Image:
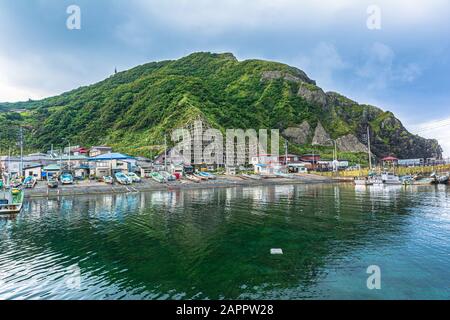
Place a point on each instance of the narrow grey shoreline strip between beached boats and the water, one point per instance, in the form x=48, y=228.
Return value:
x=80, y=189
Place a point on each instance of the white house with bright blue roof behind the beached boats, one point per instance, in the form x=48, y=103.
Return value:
x=110, y=163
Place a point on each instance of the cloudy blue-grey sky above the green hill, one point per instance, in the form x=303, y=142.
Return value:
x=403, y=67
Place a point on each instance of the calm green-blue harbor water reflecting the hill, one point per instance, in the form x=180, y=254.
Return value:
x=215, y=244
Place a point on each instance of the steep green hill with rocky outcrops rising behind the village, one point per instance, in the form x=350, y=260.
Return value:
x=132, y=110
